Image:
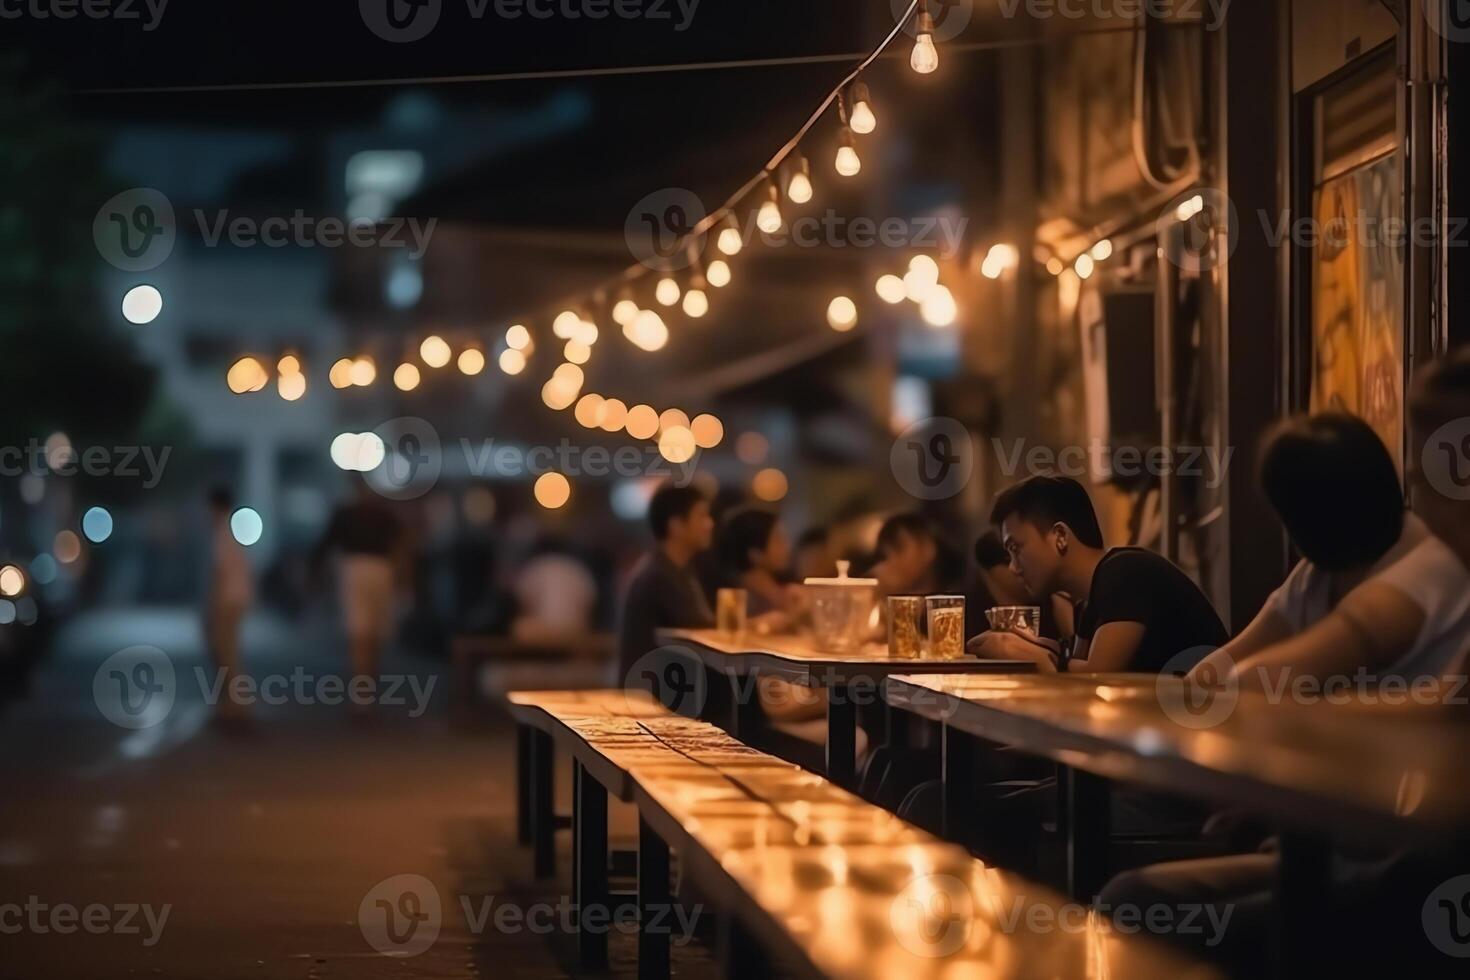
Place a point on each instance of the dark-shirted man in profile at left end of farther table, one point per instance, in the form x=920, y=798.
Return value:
x=664, y=593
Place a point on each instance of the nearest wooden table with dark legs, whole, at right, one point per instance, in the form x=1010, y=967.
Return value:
x=1391, y=777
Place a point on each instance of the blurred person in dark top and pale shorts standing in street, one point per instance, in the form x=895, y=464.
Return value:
x=368, y=540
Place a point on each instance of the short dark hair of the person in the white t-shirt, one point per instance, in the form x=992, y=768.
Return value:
x=1334, y=484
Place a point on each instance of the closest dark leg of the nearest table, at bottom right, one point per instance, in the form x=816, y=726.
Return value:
x=1305, y=898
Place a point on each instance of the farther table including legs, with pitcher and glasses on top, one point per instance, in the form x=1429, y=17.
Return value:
x=846, y=680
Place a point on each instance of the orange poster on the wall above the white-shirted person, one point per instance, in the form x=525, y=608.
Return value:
x=1358, y=287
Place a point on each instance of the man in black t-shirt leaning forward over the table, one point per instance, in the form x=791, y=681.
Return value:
x=1136, y=610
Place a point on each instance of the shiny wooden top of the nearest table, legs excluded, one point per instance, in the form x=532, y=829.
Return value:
x=1375, y=774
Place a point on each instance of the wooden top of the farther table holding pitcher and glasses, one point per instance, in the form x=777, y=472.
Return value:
x=799, y=660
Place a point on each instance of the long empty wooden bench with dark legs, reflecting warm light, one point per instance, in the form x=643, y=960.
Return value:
x=836, y=884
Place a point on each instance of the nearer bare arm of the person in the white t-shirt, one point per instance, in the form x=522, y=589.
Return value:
x=1372, y=628
